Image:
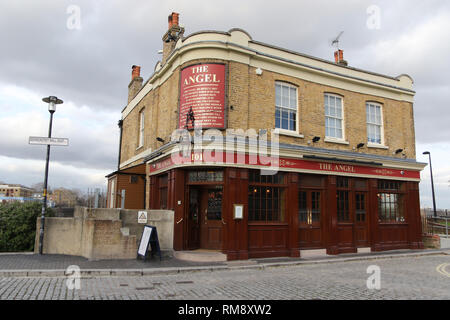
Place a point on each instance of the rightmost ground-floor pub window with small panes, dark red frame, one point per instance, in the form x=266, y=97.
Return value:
x=390, y=202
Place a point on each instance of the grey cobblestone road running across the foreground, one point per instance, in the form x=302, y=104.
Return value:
x=426, y=277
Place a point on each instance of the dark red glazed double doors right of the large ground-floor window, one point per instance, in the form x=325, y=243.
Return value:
x=310, y=219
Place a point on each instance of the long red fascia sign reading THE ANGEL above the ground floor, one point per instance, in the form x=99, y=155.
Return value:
x=222, y=158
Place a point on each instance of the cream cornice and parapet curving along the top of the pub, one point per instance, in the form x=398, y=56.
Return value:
x=238, y=46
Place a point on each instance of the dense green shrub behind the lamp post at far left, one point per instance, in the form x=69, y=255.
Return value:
x=18, y=225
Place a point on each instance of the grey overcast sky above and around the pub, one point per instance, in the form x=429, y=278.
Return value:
x=46, y=50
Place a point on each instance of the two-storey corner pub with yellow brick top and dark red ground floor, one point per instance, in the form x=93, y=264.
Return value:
x=338, y=171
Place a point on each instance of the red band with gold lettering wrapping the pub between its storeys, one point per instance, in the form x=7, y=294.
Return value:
x=270, y=163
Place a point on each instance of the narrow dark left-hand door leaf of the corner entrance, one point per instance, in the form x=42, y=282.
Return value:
x=193, y=232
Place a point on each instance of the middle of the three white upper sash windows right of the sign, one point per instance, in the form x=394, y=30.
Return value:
x=334, y=117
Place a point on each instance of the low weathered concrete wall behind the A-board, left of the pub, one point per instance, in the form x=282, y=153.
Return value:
x=103, y=233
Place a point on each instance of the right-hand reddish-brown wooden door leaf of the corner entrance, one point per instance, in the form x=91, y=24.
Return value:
x=211, y=218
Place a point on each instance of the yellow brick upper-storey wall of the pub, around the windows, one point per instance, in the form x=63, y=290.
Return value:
x=253, y=101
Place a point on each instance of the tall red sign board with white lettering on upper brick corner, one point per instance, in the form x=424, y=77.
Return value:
x=202, y=96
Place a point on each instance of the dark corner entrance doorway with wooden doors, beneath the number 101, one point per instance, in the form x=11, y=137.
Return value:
x=205, y=217
